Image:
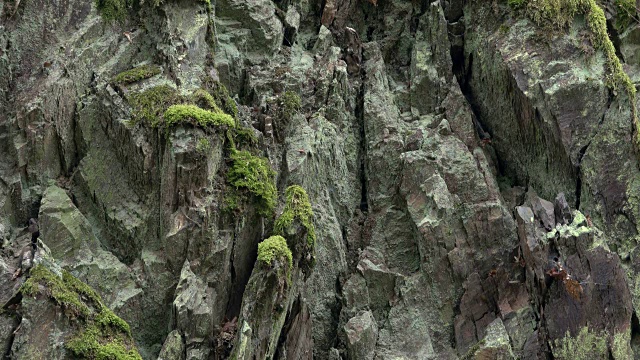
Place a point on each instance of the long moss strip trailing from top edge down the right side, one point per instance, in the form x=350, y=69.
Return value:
x=560, y=13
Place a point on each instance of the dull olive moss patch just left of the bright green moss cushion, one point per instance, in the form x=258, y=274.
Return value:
x=149, y=105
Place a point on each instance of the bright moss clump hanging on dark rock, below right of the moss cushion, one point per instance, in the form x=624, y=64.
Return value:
x=254, y=174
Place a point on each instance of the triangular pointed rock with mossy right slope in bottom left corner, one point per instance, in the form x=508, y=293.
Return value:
x=62, y=317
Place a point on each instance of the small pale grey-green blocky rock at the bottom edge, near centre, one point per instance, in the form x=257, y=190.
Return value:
x=362, y=334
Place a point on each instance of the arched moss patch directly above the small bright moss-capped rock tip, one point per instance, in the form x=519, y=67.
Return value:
x=297, y=207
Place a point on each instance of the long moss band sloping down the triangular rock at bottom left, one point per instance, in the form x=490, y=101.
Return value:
x=102, y=335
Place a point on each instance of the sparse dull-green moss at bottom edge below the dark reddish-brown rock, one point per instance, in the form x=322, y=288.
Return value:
x=587, y=344
